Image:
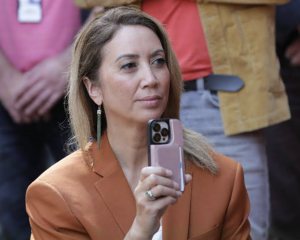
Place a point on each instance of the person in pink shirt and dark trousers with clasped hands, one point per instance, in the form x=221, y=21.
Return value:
x=35, y=36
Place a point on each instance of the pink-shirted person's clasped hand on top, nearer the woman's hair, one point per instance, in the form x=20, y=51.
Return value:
x=45, y=85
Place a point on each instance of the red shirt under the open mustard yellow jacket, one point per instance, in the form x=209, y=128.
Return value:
x=182, y=21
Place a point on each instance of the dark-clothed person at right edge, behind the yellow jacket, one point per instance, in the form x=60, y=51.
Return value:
x=283, y=140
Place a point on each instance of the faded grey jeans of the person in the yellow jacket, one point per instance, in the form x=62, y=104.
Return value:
x=200, y=112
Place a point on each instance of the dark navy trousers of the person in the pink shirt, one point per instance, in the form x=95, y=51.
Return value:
x=22, y=160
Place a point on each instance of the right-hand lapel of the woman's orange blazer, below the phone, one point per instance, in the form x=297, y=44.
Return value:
x=175, y=222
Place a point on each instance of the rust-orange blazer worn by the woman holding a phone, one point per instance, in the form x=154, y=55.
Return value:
x=72, y=200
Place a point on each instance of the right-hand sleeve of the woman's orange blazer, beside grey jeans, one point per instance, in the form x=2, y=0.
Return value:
x=236, y=225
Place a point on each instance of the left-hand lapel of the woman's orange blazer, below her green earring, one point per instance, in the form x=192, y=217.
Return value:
x=113, y=187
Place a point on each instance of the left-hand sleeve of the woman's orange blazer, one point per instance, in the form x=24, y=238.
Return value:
x=49, y=215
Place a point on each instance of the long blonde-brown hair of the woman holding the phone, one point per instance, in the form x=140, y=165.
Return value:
x=86, y=62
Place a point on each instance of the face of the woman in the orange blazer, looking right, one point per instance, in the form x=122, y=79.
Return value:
x=134, y=76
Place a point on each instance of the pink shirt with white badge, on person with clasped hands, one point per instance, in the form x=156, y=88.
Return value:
x=26, y=44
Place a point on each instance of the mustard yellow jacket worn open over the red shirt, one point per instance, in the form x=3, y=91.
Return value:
x=241, y=41
